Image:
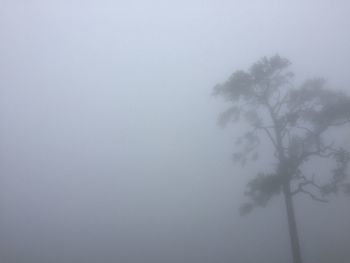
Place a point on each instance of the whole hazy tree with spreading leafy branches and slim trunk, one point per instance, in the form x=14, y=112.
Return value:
x=297, y=122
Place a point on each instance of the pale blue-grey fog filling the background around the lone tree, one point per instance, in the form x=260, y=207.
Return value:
x=109, y=145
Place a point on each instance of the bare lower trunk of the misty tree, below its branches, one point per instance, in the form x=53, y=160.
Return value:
x=293, y=231
